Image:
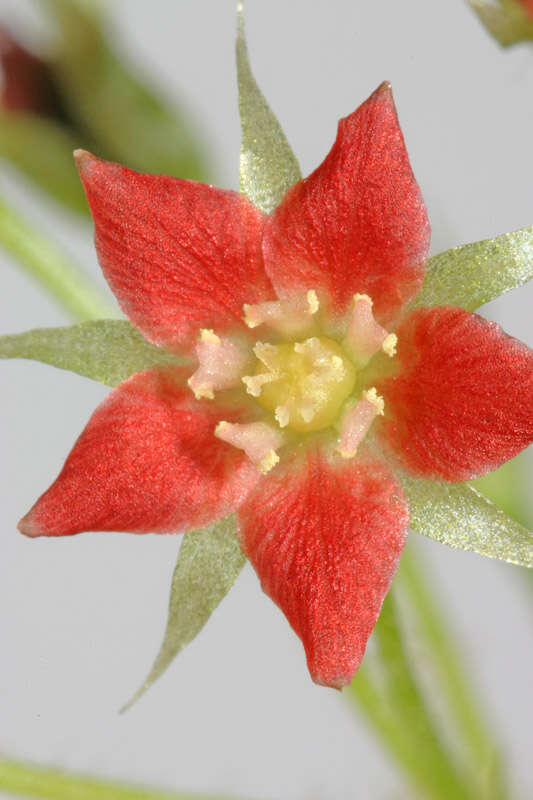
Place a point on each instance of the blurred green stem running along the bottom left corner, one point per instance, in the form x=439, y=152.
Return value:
x=27, y=780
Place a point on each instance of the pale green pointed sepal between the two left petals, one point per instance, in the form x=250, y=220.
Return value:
x=108, y=351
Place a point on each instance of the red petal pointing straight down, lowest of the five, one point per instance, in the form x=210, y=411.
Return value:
x=325, y=541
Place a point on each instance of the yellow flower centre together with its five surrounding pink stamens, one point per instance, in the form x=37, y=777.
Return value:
x=308, y=384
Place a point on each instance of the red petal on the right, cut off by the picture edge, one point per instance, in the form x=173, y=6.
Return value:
x=461, y=404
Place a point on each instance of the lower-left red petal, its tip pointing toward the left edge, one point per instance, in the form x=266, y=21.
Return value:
x=147, y=461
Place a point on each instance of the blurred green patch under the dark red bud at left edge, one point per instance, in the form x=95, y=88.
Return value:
x=42, y=150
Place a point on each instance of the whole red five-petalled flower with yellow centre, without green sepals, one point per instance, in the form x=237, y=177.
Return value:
x=310, y=387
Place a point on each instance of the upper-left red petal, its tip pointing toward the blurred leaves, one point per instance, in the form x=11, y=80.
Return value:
x=179, y=255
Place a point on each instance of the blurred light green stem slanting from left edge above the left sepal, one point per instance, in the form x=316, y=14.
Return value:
x=44, y=260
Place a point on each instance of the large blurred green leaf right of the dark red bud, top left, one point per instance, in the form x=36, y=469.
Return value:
x=130, y=122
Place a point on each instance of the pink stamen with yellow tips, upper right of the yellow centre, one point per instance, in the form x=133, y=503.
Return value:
x=365, y=336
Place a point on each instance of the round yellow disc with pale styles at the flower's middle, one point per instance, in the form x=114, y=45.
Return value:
x=303, y=383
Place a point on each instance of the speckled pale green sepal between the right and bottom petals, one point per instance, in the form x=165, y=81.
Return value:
x=458, y=515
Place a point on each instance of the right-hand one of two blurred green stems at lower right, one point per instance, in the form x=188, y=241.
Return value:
x=477, y=745
